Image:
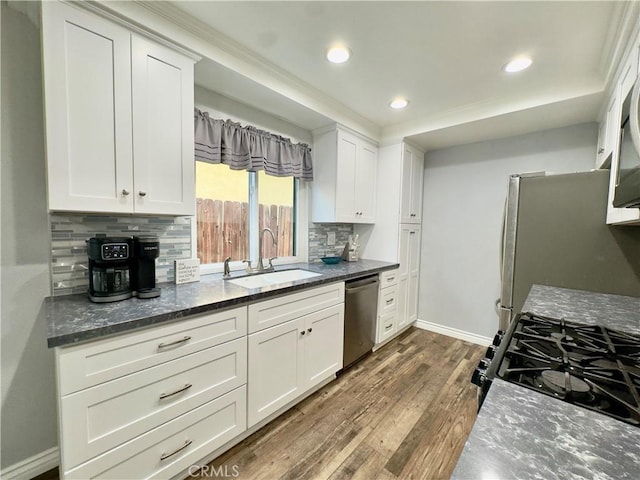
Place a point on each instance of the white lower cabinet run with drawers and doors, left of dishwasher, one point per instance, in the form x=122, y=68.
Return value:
x=153, y=403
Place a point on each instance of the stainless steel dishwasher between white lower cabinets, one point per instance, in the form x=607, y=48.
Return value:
x=360, y=313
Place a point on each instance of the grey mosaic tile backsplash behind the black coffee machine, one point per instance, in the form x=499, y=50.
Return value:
x=69, y=263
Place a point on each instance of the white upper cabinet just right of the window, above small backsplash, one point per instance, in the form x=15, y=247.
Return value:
x=344, y=184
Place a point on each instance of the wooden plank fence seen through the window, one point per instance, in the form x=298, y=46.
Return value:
x=222, y=230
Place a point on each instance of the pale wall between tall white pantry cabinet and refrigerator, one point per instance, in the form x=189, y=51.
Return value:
x=464, y=193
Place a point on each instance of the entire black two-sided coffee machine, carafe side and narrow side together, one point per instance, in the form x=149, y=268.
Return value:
x=121, y=267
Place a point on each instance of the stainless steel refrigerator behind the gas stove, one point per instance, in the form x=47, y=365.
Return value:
x=555, y=233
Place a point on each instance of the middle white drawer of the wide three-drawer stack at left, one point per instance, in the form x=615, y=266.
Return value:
x=107, y=415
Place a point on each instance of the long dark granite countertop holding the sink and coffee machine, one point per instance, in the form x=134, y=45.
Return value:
x=73, y=318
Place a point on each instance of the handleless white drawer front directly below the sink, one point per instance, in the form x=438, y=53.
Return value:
x=282, y=309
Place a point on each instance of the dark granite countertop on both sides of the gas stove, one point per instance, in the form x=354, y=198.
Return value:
x=522, y=434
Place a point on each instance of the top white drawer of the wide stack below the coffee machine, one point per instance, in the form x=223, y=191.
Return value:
x=87, y=365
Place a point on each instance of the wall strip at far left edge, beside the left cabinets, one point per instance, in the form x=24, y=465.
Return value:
x=28, y=389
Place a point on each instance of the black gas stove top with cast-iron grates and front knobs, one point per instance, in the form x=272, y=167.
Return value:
x=587, y=365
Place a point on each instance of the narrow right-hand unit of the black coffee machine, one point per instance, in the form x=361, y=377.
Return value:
x=143, y=268
